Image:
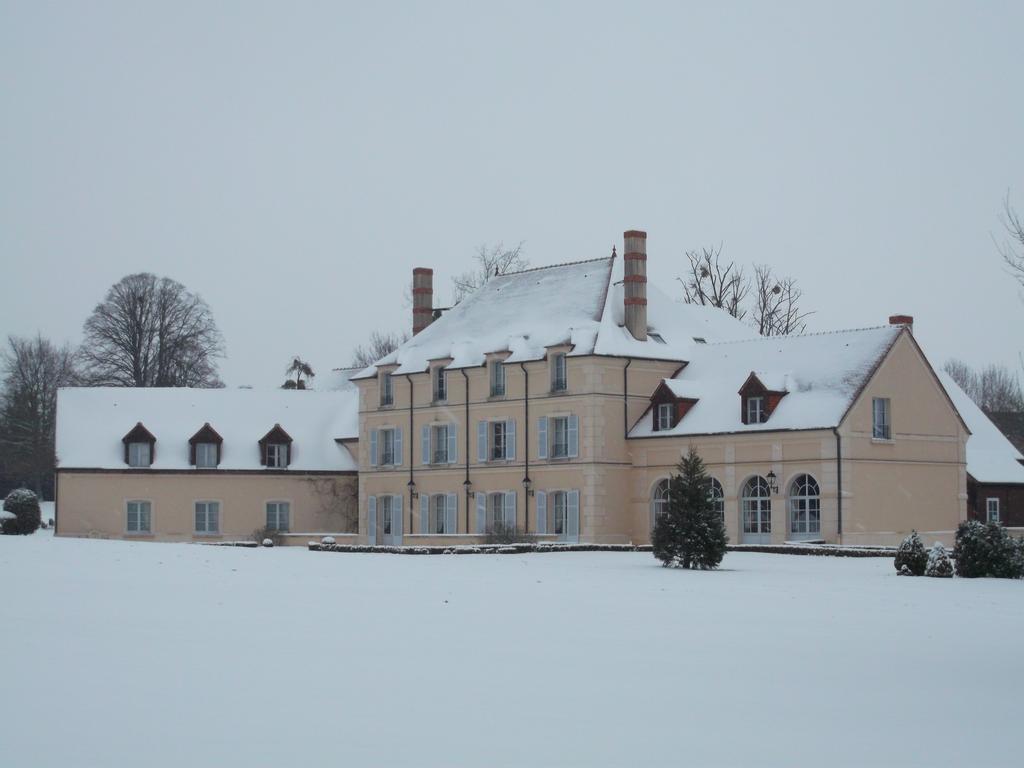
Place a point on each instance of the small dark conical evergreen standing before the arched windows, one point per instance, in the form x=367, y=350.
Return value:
x=690, y=534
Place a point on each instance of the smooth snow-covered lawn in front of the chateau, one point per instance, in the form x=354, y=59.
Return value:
x=135, y=654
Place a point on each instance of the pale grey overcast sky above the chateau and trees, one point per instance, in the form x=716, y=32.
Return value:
x=293, y=162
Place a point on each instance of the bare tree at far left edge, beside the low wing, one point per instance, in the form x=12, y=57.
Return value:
x=33, y=371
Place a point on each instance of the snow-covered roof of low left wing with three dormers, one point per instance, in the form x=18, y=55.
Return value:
x=93, y=421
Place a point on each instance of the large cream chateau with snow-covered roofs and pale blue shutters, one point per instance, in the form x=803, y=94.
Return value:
x=554, y=402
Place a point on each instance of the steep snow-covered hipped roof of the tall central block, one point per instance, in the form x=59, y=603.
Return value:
x=578, y=305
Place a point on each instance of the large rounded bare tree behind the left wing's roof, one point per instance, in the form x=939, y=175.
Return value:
x=152, y=332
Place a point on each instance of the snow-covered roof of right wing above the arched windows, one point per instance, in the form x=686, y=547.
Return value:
x=823, y=375
